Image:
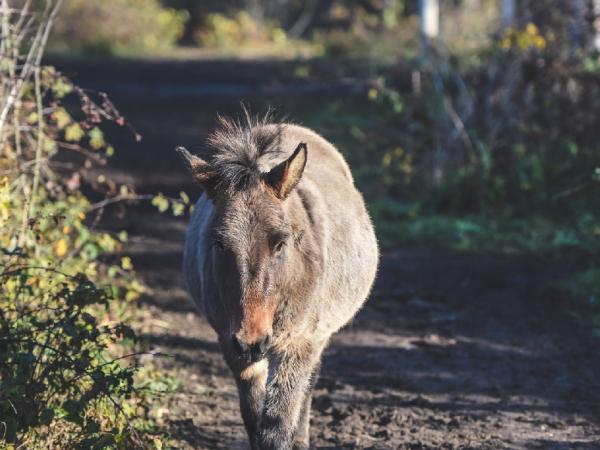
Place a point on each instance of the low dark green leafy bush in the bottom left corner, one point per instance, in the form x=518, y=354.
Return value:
x=60, y=384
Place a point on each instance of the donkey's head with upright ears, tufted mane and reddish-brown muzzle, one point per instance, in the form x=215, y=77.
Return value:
x=251, y=236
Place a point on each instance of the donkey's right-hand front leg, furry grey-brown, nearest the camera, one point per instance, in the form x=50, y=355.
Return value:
x=289, y=380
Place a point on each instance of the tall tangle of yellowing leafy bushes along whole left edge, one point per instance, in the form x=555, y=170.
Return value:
x=66, y=365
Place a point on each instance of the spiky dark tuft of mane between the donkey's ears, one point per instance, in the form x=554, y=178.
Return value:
x=239, y=146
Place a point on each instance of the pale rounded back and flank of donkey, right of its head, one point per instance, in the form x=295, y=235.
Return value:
x=344, y=230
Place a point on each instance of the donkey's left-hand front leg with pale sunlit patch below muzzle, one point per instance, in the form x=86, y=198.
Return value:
x=251, y=383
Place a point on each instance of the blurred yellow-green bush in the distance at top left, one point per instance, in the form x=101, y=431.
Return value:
x=118, y=27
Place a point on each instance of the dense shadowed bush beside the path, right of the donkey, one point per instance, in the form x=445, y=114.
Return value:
x=512, y=138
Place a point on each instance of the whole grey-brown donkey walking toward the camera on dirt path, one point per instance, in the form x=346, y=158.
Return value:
x=280, y=253
